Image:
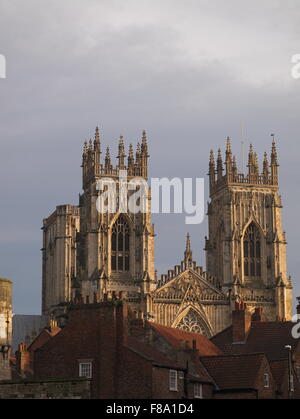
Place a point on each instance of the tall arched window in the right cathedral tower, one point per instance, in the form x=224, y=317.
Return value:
x=252, y=252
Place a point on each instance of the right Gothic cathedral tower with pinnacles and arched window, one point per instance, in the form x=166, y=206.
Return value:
x=246, y=247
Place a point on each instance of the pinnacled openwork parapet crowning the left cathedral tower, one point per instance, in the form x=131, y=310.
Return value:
x=92, y=167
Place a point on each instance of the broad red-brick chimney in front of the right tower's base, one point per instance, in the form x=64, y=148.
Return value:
x=241, y=323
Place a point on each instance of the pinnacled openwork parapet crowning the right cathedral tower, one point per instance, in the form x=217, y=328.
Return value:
x=267, y=177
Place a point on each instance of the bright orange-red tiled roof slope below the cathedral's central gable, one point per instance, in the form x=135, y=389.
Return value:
x=176, y=336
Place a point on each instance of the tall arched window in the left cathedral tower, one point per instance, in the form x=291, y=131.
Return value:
x=120, y=250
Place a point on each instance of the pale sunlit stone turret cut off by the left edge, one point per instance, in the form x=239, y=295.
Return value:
x=5, y=327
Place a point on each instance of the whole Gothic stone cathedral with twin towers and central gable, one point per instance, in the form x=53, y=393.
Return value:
x=96, y=256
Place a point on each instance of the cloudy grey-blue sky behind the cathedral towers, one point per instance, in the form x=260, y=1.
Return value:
x=190, y=72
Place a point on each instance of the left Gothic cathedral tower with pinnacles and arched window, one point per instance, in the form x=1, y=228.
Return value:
x=115, y=251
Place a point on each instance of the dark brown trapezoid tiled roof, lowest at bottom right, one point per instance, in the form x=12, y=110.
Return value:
x=232, y=372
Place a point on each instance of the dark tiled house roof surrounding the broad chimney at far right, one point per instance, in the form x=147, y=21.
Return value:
x=265, y=337
